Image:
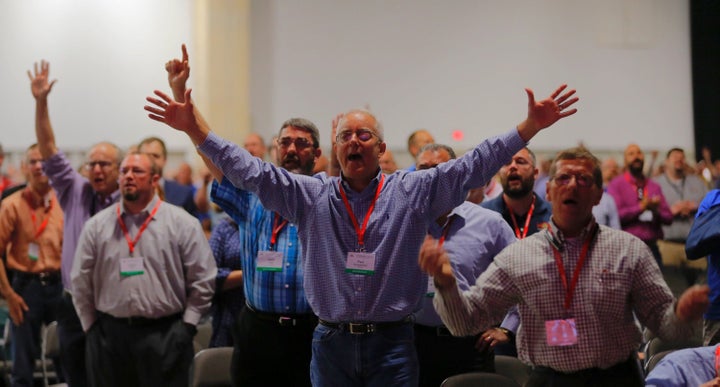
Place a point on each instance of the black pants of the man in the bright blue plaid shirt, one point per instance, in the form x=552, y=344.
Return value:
x=267, y=353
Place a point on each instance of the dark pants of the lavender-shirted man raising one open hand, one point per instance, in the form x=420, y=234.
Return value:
x=72, y=343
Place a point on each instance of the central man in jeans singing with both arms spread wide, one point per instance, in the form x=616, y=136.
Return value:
x=361, y=232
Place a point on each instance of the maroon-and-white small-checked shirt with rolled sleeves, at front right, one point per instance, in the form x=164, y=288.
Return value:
x=619, y=277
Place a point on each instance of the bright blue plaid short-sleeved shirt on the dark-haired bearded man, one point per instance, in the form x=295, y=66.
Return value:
x=271, y=292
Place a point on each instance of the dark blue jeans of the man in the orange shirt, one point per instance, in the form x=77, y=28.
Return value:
x=42, y=301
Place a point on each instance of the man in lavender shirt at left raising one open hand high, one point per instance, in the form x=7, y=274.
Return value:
x=80, y=198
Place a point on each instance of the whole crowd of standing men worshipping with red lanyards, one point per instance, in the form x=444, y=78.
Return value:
x=343, y=269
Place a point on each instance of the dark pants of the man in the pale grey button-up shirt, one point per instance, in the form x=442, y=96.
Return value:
x=148, y=353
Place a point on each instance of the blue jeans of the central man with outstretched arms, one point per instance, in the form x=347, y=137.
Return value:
x=384, y=358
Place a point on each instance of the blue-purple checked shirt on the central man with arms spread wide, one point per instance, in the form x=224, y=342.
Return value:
x=408, y=202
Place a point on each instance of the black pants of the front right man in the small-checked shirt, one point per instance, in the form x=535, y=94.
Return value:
x=625, y=374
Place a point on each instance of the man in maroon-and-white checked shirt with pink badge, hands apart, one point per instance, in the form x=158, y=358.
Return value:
x=578, y=286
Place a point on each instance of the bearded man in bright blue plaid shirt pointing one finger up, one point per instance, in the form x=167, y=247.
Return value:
x=273, y=332
